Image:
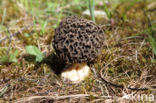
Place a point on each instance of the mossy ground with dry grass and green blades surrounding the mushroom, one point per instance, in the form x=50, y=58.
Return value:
x=125, y=70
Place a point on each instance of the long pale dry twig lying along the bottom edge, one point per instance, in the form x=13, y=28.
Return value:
x=26, y=99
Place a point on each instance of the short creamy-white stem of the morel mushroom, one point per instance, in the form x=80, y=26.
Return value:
x=76, y=73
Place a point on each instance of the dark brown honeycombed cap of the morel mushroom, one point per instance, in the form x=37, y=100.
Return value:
x=78, y=40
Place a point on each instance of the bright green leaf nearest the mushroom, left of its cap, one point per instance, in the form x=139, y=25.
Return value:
x=33, y=50
